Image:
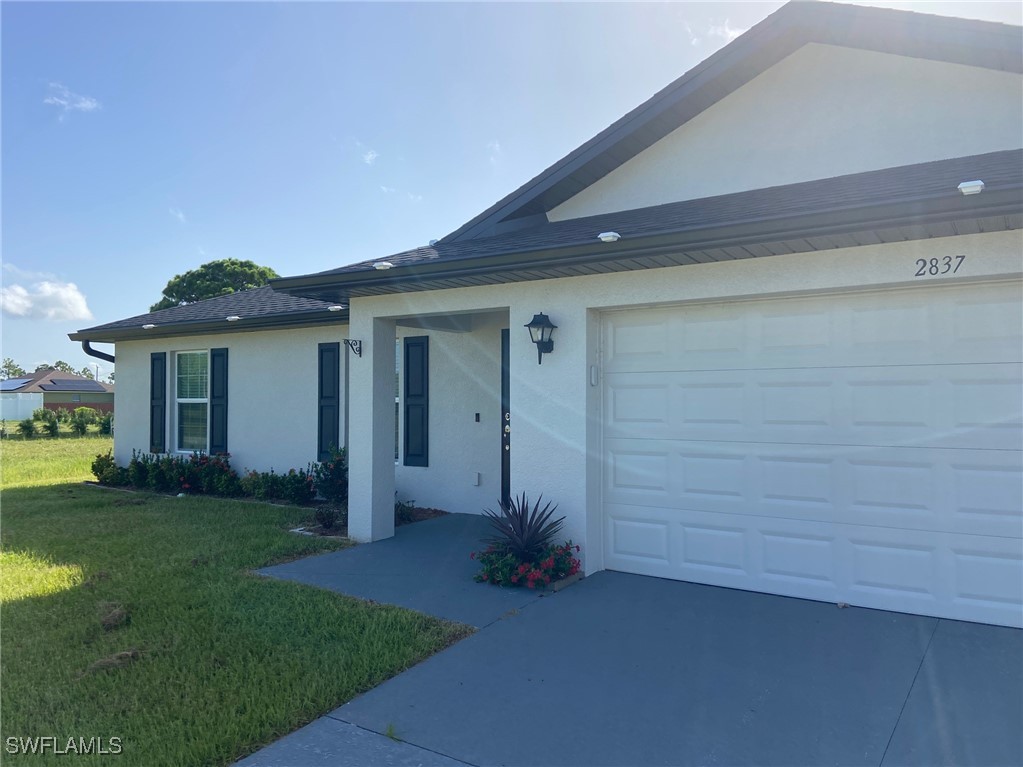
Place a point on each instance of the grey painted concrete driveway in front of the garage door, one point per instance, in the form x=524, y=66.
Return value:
x=629, y=670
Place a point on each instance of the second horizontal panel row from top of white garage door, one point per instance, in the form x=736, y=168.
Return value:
x=956, y=407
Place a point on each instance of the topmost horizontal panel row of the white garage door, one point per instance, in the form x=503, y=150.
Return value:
x=912, y=327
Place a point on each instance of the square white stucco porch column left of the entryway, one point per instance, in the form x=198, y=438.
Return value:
x=371, y=456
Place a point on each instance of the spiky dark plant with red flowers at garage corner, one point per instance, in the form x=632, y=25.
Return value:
x=523, y=552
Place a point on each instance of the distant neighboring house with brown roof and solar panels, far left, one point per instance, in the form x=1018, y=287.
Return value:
x=53, y=389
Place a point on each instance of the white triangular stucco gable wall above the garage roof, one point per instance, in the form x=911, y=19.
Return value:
x=823, y=112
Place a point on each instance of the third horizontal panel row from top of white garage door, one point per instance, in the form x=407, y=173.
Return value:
x=954, y=491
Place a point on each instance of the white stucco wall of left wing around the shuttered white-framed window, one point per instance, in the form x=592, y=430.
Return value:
x=273, y=394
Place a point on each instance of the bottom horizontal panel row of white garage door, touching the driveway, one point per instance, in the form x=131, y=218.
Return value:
x=932, y=573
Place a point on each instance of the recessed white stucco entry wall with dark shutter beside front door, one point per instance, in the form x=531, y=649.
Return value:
x=465, y=380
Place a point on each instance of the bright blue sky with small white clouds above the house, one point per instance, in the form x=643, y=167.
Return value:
x=142, y=140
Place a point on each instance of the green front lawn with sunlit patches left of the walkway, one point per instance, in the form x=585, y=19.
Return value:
x=205, y=662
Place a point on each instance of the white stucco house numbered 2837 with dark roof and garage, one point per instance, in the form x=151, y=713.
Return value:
x=788, y=355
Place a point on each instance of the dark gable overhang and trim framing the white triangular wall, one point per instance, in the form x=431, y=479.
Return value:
x=985, y=44
